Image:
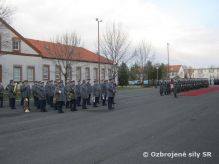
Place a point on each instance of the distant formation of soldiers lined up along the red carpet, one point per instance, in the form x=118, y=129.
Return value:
x=181, y=85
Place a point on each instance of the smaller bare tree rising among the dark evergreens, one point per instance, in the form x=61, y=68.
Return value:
x=143, y=54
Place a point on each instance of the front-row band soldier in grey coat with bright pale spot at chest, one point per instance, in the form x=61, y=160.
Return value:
x=59, y=97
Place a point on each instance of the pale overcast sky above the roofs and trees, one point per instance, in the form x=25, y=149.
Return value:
x=190, y=26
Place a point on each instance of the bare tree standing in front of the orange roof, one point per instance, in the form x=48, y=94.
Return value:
x=65, y=48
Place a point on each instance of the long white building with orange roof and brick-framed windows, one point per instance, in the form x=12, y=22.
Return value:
x=28, y=59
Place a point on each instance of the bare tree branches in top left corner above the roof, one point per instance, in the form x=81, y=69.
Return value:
x=5, y=11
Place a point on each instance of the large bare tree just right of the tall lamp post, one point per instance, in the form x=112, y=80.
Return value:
x=115, y=45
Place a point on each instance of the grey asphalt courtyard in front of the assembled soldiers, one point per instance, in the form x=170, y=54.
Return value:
x=143, y=123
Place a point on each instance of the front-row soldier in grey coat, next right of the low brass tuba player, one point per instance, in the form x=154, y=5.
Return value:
x=42, y=97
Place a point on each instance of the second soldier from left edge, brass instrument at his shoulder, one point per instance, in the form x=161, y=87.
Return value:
x=12, y=91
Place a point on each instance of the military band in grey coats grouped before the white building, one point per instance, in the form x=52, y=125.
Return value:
x=57, y=95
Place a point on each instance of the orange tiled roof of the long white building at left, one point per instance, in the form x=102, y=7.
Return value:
x=56, y=51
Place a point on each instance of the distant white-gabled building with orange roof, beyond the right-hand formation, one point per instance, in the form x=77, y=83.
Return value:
x=176, y=71
